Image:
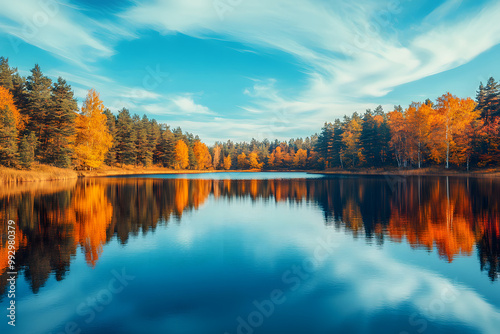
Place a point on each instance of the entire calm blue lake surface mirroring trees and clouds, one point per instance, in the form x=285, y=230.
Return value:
x=254, y=253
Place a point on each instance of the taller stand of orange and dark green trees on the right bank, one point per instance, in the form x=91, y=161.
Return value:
x=450, y=131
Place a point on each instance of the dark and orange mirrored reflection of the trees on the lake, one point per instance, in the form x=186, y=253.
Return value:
x=55, y=220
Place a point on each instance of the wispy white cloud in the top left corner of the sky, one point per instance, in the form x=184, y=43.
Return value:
x=55, y=27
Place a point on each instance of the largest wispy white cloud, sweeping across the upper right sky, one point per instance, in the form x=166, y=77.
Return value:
x=349, y=50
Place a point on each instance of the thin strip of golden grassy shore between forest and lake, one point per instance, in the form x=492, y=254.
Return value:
x=41, y=172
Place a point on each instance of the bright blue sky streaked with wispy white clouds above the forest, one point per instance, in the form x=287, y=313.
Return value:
x=242, y=69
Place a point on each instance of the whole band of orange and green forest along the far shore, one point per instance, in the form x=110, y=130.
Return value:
x=40, y=122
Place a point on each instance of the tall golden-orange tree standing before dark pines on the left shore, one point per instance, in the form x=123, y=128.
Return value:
x=93, y=139
